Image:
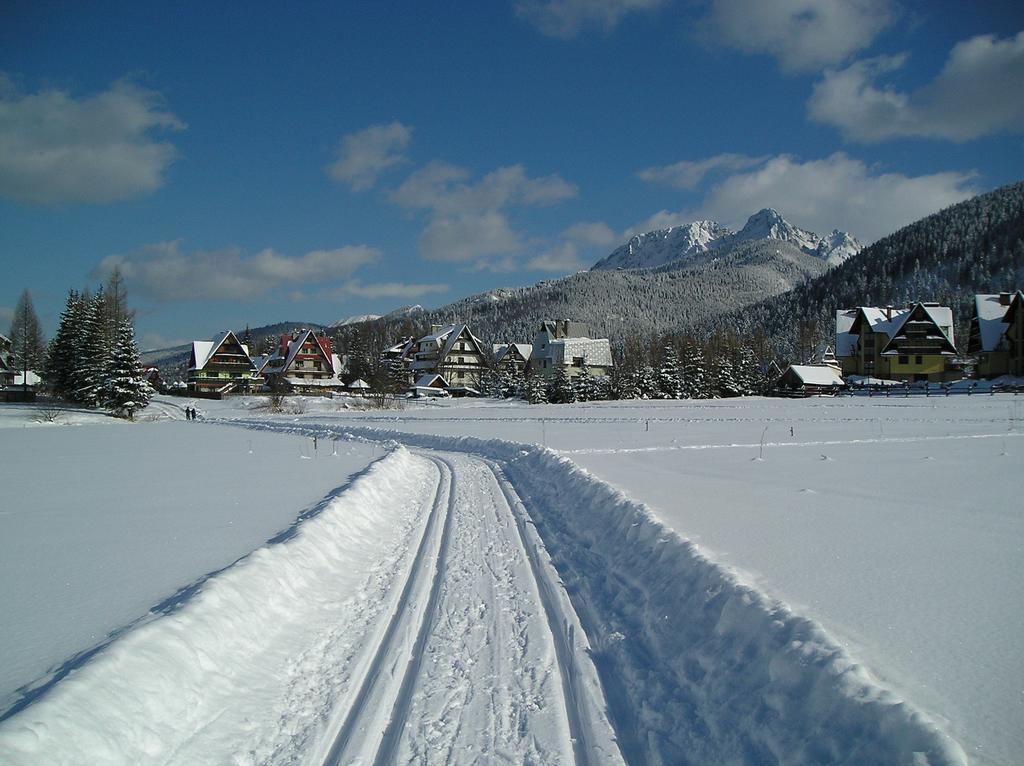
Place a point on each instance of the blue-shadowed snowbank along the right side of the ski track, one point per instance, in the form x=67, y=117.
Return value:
x=698, y=666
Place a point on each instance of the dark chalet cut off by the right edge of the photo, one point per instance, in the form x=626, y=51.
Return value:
x=998, y=334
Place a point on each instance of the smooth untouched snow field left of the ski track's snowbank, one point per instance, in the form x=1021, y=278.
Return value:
x=105, y=521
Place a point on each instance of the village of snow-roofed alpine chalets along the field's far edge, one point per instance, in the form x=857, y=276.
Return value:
x=874, y=347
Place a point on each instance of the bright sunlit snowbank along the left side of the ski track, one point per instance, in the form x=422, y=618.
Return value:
x=237, y=673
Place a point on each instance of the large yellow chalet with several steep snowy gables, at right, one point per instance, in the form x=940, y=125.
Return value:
x=909, y=345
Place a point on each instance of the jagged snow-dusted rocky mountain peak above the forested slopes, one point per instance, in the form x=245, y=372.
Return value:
x=666, y=246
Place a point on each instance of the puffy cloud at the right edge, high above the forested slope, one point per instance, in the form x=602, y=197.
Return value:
x=979, y=92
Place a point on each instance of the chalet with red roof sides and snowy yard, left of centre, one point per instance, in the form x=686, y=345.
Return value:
x=305, y=363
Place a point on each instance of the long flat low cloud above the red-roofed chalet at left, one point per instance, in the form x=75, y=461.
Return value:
x=163, y=272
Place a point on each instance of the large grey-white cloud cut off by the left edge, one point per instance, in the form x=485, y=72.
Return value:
x=57, y=149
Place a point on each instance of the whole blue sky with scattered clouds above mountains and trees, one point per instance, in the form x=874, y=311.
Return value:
x=268, y=162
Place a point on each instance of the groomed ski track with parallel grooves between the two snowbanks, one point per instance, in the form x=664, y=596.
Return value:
x=477, y=666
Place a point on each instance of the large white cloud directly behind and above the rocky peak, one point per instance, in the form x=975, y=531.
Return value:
x=838, y=192
